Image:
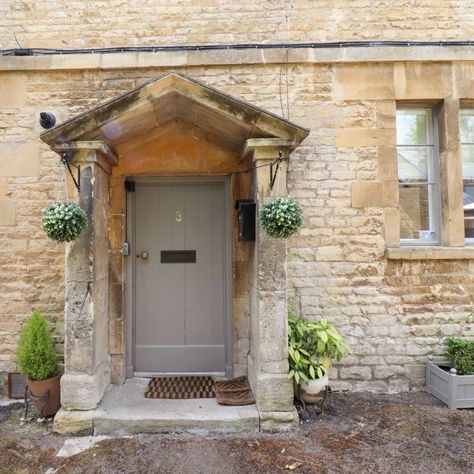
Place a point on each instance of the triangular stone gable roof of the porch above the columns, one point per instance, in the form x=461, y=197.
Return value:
x=156, y=108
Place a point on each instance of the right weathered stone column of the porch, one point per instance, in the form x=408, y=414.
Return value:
x=268, y=357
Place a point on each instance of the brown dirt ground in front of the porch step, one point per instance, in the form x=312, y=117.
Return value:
x=358, y=433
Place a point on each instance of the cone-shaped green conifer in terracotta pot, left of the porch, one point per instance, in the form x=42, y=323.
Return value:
x=38, y=361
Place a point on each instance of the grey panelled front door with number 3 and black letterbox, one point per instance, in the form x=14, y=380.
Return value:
x=180, y=275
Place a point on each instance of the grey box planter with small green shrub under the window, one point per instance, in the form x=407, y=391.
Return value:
x=452, y=380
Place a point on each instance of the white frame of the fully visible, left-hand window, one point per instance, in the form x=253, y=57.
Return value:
x=434, y=190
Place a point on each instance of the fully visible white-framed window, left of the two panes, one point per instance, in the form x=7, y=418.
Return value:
x=418, y=177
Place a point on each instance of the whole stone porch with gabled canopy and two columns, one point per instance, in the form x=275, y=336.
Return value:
x=117, y=132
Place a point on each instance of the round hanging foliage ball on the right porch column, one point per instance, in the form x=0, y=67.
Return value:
x=281, y=217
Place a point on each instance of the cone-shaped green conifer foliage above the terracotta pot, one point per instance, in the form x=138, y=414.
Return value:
x=35, y=353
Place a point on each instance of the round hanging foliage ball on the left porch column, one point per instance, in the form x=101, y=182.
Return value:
x=64, y=221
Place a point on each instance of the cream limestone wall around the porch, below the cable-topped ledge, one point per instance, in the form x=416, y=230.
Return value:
x=394, y=312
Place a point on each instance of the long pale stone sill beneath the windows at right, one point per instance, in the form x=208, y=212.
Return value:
x=430, y=253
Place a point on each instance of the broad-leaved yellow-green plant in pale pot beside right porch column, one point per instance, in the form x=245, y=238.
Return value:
x=312, y=347
